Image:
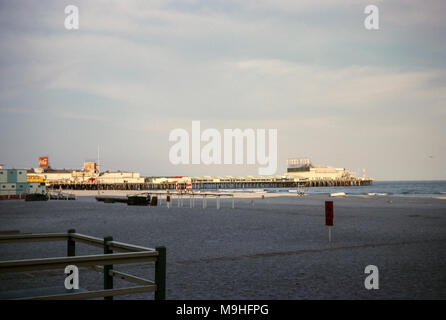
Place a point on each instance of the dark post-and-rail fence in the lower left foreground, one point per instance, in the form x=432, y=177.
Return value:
x=114, y=253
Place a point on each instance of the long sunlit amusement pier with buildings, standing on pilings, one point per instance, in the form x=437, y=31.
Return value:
x=300, y=173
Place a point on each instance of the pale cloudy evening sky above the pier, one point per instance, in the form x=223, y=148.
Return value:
x=336, y=92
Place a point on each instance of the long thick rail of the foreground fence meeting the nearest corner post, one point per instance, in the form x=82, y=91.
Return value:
x=80, y=261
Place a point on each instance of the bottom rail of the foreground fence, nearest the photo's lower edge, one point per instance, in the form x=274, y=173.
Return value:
x=96, y=294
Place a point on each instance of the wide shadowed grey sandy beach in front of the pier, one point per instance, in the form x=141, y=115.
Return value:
x=271, y=248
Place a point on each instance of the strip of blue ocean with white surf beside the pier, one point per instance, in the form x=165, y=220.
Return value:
x=435, y=188
